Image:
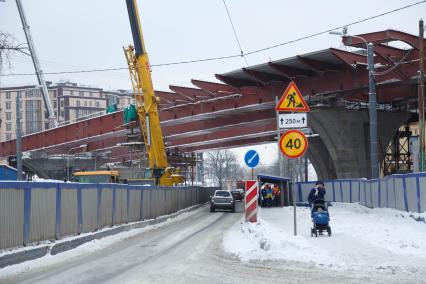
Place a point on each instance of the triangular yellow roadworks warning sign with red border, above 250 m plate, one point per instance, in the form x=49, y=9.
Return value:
x=292, y=100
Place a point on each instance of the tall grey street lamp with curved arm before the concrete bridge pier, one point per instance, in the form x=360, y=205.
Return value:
x=372, y=103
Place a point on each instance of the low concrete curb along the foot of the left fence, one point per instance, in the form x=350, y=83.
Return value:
x=31, y=254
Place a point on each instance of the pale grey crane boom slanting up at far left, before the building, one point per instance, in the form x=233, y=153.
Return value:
x=40, y=77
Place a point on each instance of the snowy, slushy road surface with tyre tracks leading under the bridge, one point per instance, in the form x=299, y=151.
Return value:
x=189, y=250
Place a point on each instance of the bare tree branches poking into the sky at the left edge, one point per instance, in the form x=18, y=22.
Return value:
x=8, y=47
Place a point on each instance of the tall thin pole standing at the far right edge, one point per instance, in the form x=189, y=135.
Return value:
x=421, y=94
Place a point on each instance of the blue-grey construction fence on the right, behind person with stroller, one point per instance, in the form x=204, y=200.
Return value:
x=405, y=192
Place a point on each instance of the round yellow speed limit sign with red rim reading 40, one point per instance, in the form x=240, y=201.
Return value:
x=293, y=143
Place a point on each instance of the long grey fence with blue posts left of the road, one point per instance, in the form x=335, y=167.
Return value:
x=31, y=212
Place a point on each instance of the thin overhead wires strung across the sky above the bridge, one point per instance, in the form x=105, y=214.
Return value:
x=233, y=55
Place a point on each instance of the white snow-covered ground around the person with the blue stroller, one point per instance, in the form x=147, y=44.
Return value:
x=362, y=239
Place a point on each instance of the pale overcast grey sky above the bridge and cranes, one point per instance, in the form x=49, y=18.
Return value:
x=82, y=34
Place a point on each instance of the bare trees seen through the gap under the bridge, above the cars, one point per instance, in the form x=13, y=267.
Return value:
x=223, y=165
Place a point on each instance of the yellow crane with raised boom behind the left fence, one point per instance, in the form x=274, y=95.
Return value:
x=147, y=104
